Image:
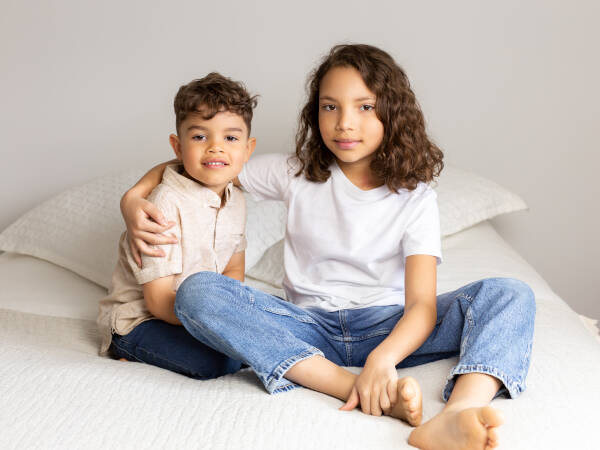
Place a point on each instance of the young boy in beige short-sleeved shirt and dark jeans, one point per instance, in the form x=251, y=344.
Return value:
x=136, y=319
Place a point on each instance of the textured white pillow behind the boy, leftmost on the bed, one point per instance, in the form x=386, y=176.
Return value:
x=79, y=229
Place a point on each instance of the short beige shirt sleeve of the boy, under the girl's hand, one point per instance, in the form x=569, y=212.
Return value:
x=171, y=264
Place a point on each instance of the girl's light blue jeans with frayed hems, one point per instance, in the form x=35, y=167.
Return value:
x=488, y=324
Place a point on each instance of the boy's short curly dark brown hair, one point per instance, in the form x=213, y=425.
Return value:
x=213, y=94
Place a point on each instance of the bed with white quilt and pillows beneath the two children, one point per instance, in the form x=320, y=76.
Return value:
x=56, y=392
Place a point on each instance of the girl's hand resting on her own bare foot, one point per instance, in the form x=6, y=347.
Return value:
x=375, y=388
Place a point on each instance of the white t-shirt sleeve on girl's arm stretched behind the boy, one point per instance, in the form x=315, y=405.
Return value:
x=267, y=177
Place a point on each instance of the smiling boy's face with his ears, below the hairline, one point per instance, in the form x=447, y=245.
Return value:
x=213, y=151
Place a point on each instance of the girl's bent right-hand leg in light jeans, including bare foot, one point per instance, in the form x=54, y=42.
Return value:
x=489, y=324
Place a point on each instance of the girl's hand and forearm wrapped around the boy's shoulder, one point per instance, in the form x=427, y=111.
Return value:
x=144, y=220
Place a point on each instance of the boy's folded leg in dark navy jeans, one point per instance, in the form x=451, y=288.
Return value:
x=171, y=347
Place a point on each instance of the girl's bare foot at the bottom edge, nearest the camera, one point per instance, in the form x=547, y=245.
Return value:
x=467, y=429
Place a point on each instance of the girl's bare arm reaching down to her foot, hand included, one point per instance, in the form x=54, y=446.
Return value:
x=375, y=388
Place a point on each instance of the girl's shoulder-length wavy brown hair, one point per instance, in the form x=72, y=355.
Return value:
x=406, y=155
